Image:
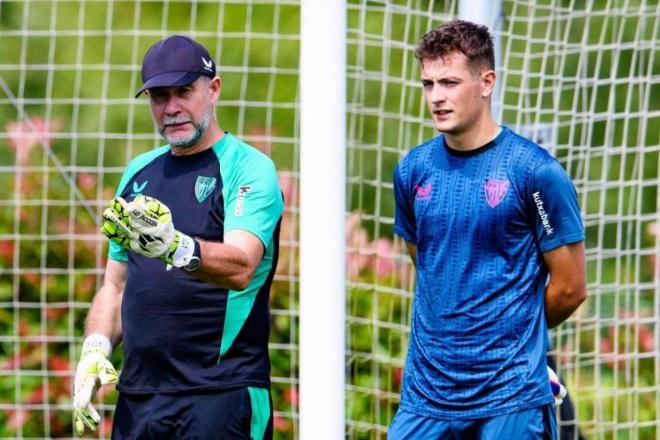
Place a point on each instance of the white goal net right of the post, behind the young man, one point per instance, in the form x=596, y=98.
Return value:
x=580, y=78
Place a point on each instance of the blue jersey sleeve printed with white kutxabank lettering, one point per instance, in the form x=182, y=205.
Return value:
x=554, y=207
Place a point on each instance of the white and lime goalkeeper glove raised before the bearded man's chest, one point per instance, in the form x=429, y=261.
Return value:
x=145, y=226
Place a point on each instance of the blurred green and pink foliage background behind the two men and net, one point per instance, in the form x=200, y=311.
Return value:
x=580, y=77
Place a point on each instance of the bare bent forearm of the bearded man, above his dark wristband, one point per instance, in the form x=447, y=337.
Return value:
x=224, y=265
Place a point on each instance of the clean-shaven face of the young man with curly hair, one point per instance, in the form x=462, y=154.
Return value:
x=456, y=94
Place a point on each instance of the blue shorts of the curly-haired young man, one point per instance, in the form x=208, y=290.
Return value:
x=531, y=424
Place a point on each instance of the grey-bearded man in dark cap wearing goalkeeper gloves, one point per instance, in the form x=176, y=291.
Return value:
x=194, y=239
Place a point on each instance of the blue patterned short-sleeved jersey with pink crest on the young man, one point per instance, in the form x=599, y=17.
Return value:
x=481, y=221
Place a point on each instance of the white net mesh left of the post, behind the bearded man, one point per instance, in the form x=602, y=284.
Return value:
x=68, y=73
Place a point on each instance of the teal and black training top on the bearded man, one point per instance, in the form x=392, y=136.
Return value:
x=180, y=333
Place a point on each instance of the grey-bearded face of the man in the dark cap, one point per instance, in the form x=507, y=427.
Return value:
x=182, y=113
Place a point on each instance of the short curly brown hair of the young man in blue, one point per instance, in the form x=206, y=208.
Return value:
x=471, y=39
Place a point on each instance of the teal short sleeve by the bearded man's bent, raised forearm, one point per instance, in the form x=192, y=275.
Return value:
x=253, y=199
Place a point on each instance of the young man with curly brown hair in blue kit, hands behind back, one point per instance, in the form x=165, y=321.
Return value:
x=486, y=216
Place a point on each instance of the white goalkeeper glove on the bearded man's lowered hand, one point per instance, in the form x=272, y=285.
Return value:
x=94, y=369
